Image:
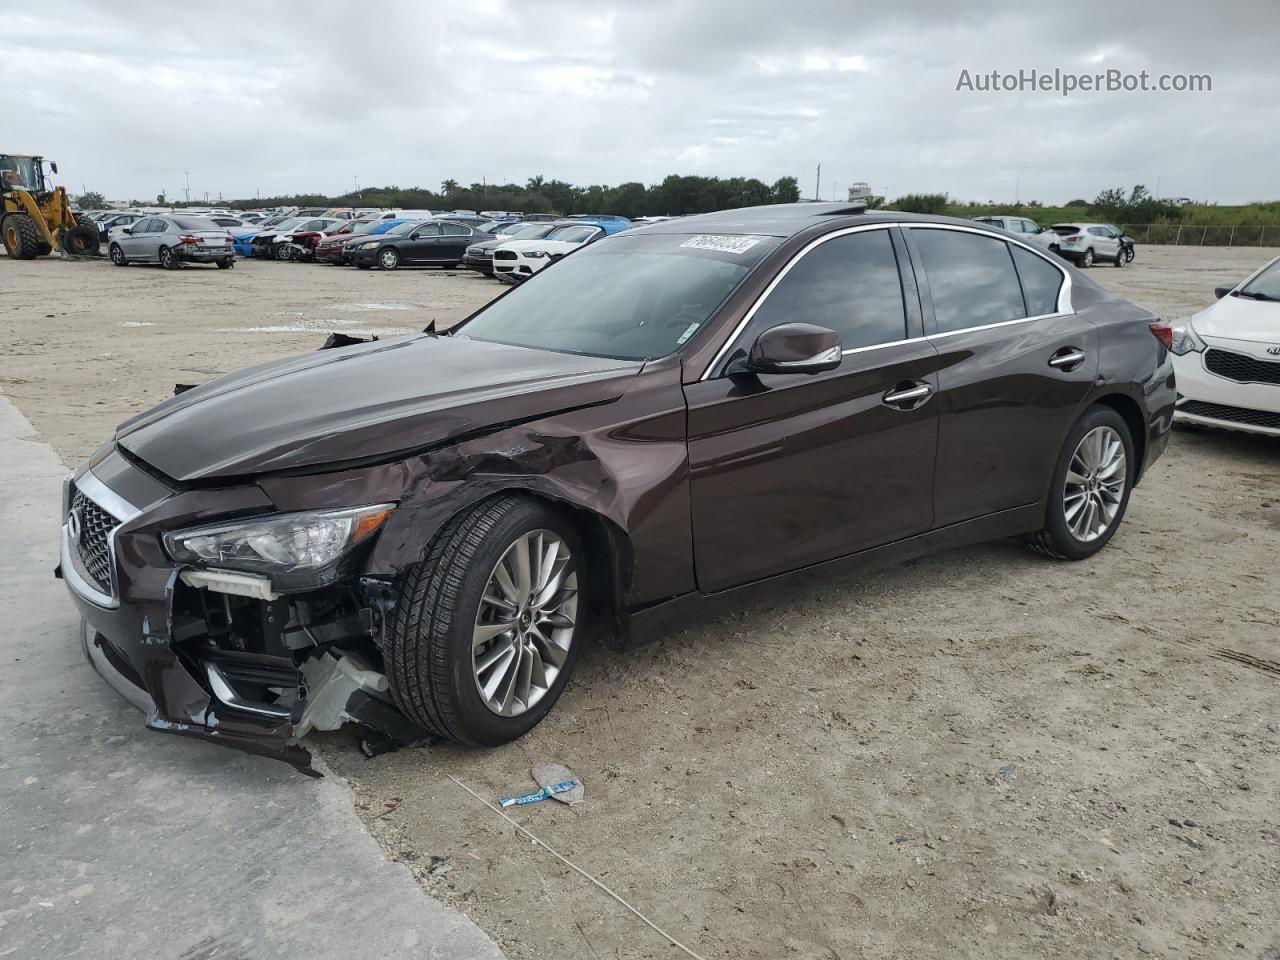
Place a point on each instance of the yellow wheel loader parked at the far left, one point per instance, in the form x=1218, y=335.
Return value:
x=35, y=217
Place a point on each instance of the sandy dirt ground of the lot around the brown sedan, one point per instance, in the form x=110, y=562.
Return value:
x=981, y=755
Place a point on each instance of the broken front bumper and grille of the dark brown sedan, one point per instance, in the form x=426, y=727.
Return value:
x=253, y=673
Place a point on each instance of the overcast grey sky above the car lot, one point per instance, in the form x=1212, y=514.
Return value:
x=304, y=98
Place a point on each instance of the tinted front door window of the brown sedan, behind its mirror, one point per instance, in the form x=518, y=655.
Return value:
x=849, y=285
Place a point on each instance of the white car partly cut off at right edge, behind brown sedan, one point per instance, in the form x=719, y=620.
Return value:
x=1227, y=358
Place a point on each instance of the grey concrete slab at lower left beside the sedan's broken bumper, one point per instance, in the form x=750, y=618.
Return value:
x=117, y=843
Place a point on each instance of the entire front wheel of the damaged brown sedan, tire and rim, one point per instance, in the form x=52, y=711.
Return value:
x=487, y=629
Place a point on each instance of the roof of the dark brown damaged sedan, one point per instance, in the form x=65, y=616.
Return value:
x=789, y=220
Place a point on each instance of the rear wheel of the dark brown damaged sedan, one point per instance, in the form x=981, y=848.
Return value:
x=1091, y=486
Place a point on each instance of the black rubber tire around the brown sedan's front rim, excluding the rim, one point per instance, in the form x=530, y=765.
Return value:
x=429, y=636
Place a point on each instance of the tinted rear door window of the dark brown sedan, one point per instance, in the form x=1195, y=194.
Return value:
x=972, y=280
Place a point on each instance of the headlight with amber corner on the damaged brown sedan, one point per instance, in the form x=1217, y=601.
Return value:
x=285, y=543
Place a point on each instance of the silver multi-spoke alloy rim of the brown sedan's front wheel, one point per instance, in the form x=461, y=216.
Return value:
x=527, y=624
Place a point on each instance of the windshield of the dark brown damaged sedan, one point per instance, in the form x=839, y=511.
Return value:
x=625, y=298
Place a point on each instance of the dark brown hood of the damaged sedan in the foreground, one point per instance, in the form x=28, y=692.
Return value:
x=362, y=404
